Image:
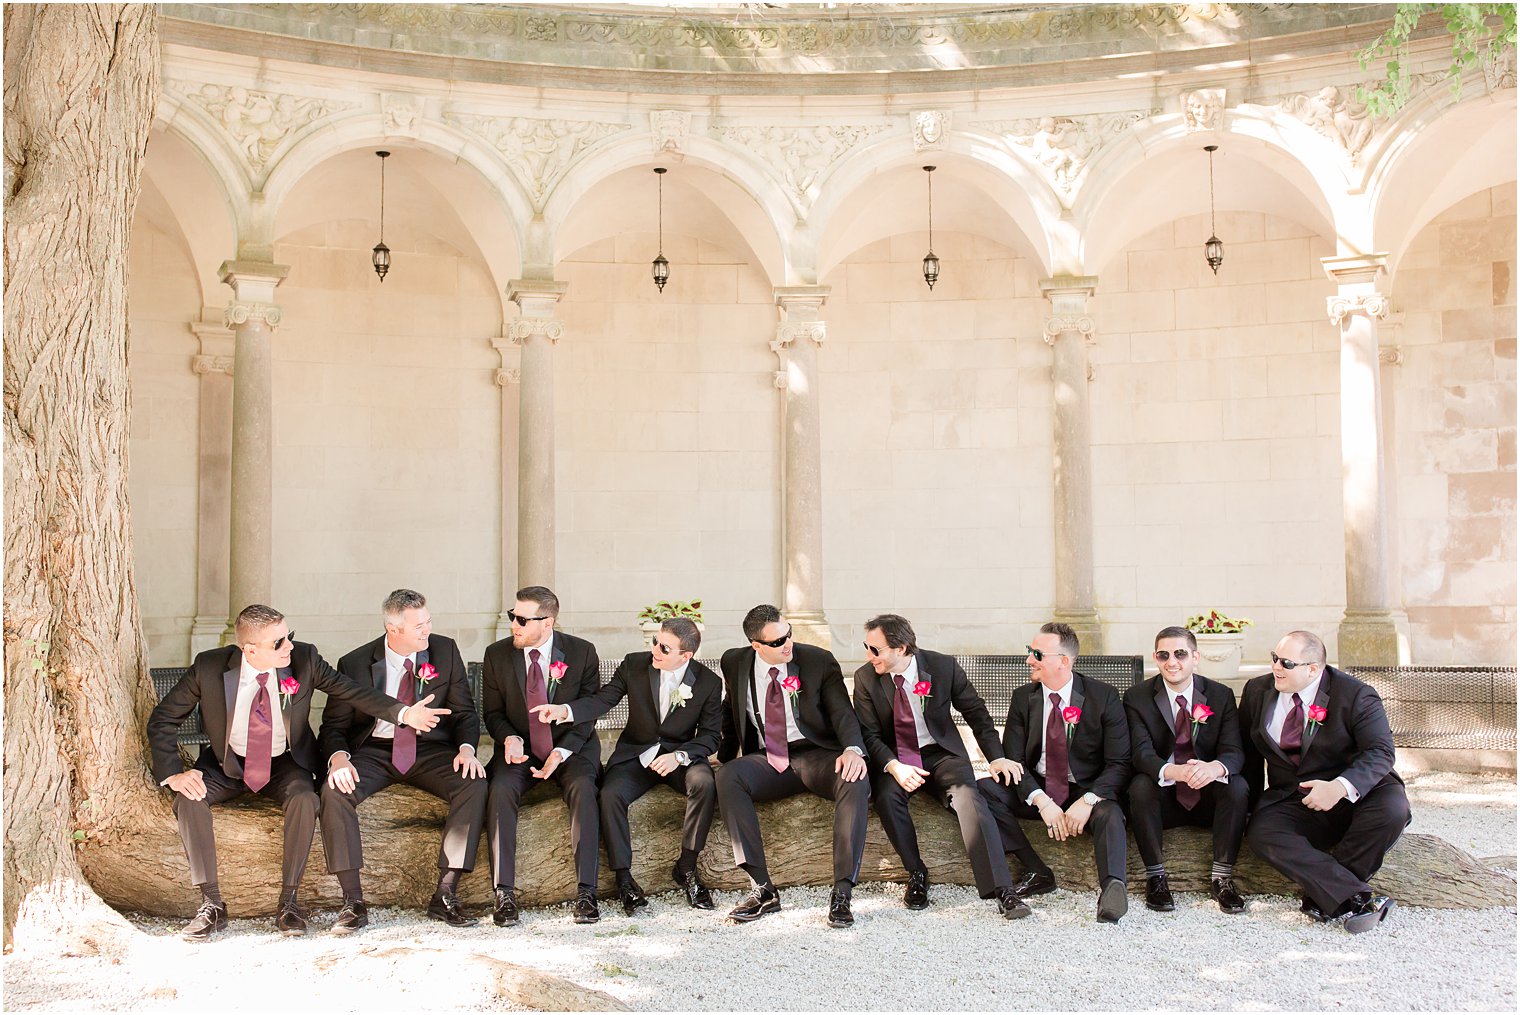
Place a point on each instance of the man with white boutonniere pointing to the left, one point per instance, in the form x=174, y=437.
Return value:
x=676, y=713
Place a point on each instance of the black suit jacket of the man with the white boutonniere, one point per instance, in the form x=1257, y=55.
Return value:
x=692, y=727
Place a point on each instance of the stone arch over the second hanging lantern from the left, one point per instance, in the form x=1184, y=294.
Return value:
x=758, y=207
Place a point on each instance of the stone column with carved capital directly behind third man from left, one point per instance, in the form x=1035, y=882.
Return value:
x=536, y=332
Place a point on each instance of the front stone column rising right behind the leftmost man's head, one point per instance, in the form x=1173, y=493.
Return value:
x=253, y=317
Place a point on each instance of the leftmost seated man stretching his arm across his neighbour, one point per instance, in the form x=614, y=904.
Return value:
x=256, y=701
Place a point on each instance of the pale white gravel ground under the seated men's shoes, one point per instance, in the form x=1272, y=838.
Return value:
x=964, y=958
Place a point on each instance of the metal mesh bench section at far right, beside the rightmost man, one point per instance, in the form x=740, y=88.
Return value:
x=1448, y=707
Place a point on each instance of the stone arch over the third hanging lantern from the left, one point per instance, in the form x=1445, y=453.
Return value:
x=1025, y=200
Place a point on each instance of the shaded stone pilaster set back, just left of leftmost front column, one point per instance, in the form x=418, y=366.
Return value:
x=214, y=365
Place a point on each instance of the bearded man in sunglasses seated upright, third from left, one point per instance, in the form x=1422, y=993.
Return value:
x=539, y=666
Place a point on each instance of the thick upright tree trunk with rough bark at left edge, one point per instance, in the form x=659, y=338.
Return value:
x=81, y=84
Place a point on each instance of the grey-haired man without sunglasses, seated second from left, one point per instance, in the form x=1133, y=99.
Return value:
x=366, y=756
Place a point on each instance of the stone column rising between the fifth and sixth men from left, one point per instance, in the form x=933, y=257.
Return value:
x=797, y=341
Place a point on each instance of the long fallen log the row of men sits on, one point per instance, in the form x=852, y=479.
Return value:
x=402, y=829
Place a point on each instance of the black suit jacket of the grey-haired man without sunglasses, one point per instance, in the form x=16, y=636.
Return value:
x=344, y=729
